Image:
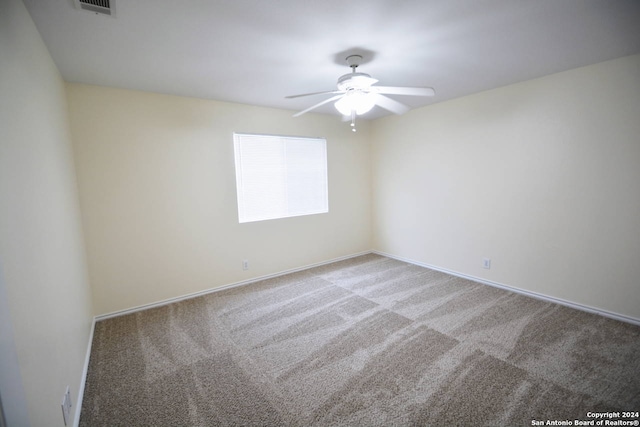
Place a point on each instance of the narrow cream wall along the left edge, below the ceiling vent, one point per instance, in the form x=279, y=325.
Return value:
x=42, y=261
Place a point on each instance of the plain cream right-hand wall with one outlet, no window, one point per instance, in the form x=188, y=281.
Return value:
x=543, y=177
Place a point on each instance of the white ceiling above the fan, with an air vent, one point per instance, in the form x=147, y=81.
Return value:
x=258, y=51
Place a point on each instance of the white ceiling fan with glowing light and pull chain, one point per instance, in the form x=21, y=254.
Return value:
x=356, y=94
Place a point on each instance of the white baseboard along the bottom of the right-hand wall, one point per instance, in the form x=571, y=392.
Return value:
x=571, y=304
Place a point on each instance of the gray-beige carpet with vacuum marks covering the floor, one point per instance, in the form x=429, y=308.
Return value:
x=369, y=341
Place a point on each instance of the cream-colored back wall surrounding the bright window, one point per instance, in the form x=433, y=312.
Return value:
x=157, y=190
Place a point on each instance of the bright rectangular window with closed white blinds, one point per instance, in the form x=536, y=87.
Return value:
x=280, y=176
